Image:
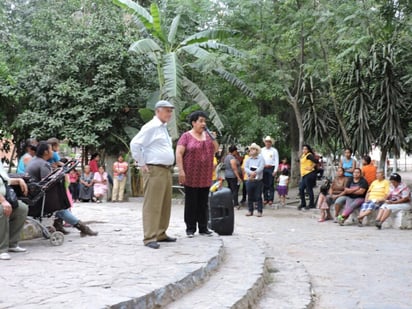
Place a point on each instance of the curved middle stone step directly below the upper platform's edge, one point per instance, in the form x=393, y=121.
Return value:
x=238, y=283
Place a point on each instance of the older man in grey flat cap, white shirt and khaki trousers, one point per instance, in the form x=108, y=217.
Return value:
x=153, y=151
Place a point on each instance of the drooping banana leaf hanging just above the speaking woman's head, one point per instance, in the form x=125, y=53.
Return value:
x=200, y=98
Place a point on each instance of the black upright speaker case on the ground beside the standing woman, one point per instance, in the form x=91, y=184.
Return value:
x=221, y=215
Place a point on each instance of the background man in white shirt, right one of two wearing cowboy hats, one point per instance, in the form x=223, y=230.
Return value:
x=271, y=157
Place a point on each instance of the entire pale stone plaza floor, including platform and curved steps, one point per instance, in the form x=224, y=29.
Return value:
x=303, y=264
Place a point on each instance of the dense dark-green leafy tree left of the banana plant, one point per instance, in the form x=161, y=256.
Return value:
x=82, y=82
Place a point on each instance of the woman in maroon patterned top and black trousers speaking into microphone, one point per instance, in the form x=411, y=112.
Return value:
x=194, y=158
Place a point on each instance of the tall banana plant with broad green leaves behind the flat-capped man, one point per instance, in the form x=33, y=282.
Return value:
x=168, y=54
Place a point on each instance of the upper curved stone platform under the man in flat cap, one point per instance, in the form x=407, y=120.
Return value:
x=112, y=270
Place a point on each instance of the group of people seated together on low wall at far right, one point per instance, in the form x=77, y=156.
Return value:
x=364, y=189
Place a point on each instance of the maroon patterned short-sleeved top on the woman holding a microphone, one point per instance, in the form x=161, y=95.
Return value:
x=197, y=160
